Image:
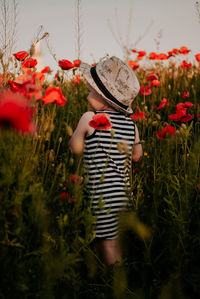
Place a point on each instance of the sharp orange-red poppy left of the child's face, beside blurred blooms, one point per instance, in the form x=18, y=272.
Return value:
x=54, y=95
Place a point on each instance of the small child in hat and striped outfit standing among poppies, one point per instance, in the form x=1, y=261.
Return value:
x=108, y=153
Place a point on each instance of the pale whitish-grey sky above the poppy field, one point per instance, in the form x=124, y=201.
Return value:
x=176, y=19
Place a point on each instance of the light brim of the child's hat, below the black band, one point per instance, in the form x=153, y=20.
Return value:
x=85, y=69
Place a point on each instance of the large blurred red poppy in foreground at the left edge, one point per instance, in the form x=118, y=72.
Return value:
x=15, y=113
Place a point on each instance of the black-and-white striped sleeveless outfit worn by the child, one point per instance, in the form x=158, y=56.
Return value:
x=107, y=158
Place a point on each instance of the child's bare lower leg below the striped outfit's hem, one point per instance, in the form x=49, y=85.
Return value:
x=111, y=251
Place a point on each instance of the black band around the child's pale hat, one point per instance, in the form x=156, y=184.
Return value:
x=103, y=89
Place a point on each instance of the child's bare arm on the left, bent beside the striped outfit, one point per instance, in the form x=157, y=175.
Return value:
x=77, y=141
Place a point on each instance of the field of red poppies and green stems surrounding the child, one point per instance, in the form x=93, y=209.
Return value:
x=46, y=228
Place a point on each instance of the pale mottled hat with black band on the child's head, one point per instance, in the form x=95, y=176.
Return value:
x=115, y=81
